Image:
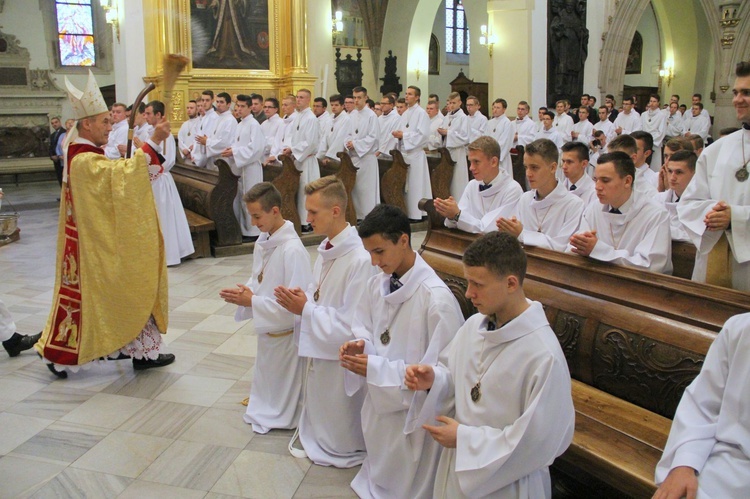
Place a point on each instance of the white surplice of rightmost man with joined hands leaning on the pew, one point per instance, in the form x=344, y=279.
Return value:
x=639, y=237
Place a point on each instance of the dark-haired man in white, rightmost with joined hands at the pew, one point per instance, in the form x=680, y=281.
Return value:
x=627, y=227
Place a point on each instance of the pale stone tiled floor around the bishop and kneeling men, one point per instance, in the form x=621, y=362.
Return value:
x=109, y=432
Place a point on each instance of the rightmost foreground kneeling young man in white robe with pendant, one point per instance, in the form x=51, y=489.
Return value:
x=507, y=380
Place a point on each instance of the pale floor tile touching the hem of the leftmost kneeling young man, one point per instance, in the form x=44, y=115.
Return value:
x=220, y=427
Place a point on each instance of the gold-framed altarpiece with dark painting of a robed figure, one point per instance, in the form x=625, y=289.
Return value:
x=234, y=46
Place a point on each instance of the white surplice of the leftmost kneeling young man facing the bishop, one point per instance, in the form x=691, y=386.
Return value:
x=276, y=392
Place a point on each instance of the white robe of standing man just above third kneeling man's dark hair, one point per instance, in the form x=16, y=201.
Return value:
x=415, y=124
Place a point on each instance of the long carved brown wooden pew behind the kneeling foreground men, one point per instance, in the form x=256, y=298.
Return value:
x=633, y=340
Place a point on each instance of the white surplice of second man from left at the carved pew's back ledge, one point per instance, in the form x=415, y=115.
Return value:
x=549, y=222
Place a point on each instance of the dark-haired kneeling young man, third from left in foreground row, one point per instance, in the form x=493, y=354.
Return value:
x=406, y=316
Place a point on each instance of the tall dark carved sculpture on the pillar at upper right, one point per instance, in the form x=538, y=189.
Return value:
x=568, y=44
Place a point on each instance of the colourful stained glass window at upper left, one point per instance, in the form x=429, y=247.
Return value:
x=75, y=32
